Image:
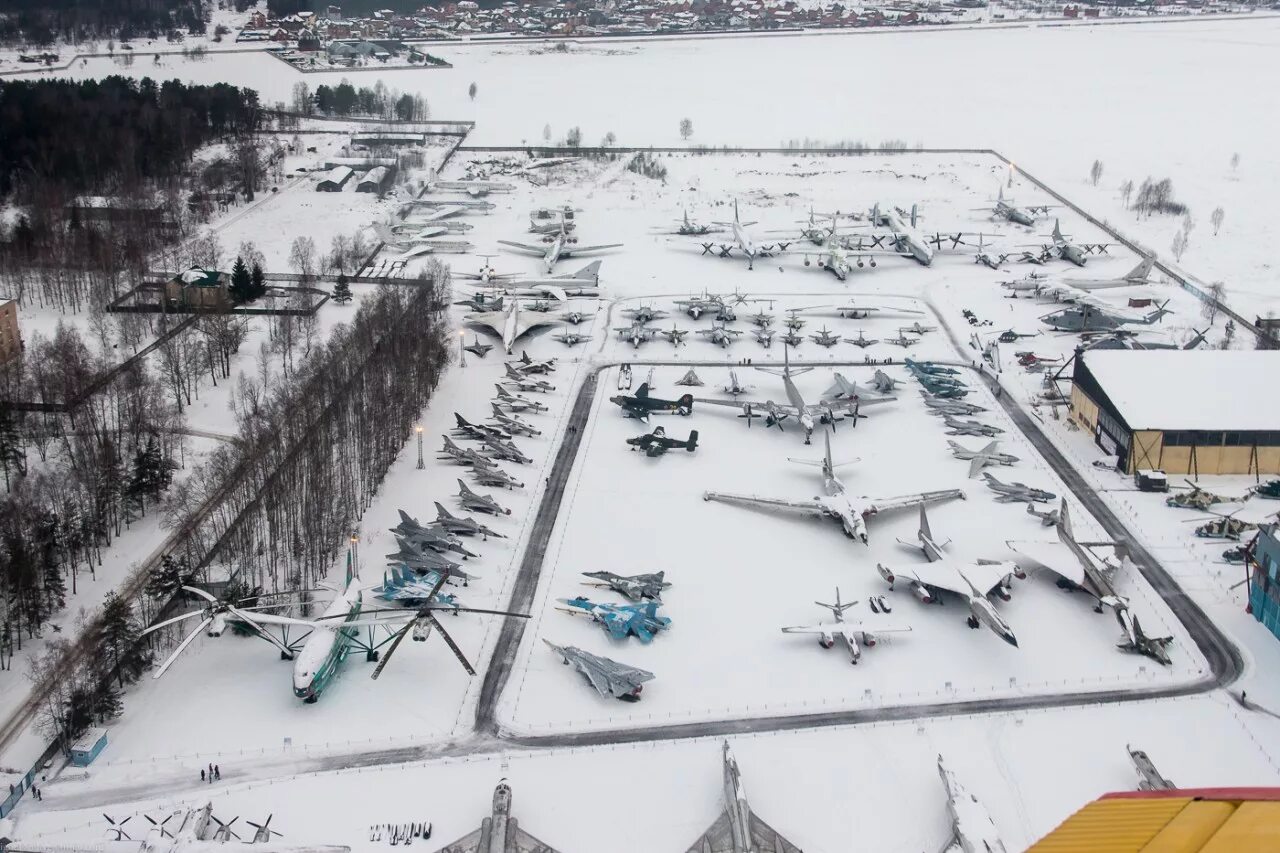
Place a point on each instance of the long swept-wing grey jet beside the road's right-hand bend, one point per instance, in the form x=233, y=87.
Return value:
x=1080, y=569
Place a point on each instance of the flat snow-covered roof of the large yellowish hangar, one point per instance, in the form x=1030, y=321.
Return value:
x=1209, y=390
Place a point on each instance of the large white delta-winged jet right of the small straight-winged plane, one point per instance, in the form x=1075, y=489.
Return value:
x=971, y=581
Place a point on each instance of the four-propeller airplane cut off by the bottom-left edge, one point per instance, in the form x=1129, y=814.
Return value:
x=195, y=833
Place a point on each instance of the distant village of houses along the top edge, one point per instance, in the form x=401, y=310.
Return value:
x=314, y=31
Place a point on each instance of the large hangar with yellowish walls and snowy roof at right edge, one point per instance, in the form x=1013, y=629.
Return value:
x=1185, y=412
